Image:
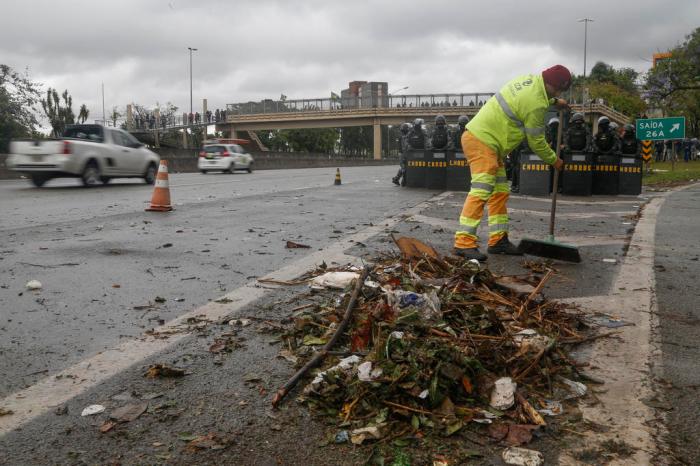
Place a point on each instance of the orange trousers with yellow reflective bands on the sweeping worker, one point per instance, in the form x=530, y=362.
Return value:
x=489, y=186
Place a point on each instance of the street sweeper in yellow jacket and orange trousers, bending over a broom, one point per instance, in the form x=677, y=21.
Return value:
x=514, y=113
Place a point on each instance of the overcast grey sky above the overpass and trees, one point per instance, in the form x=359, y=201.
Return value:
x=249, y=50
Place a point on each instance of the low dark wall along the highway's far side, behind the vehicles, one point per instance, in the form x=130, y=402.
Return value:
x=185, y=160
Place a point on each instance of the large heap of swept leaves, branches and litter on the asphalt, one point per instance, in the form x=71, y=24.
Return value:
x=423, y=345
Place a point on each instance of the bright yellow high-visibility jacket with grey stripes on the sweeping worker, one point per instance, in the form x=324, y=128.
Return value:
x=515, y=112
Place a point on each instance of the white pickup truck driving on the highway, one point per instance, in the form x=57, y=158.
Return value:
x=92, y=153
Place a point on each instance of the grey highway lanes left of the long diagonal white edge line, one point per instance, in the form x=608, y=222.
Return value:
x=101, y=258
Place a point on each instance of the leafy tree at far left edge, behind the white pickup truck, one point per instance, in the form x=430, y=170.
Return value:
x=18, y=98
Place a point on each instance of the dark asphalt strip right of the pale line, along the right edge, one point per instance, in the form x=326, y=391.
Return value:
x=677, y=268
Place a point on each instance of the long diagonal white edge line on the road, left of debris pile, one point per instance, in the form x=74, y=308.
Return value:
x=58, y=388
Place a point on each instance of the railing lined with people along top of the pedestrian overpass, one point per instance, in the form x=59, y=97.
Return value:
x=358, y=102
